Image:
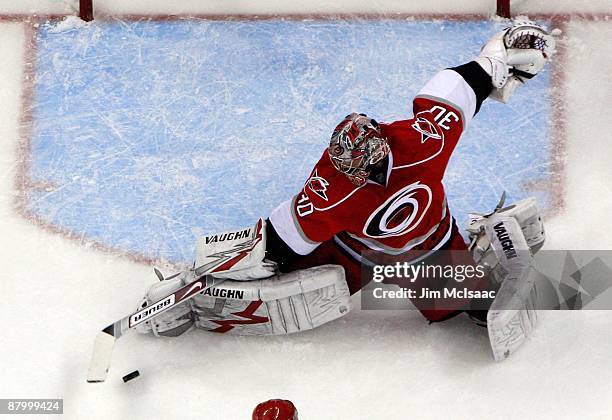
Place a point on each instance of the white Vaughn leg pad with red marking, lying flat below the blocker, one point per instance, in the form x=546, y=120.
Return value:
x=292, y=302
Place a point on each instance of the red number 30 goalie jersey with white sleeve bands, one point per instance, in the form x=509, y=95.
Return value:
x=400, y=210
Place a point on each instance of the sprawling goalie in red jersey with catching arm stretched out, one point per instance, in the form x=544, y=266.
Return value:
x=377, y=187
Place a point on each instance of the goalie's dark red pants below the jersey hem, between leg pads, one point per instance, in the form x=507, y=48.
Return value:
x=331, y=253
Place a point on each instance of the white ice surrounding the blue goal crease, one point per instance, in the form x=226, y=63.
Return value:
x=369, y=365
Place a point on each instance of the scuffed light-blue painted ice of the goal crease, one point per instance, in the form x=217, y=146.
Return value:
x=151, y=133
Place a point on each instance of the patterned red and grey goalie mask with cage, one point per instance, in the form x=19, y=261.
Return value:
x=356, y=144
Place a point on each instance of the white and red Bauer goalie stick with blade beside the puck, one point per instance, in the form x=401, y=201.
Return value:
x=222, y=262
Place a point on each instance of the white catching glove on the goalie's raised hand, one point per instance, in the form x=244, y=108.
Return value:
x=516, y=54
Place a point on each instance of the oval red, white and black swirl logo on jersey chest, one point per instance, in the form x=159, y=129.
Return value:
x=401, y=213
